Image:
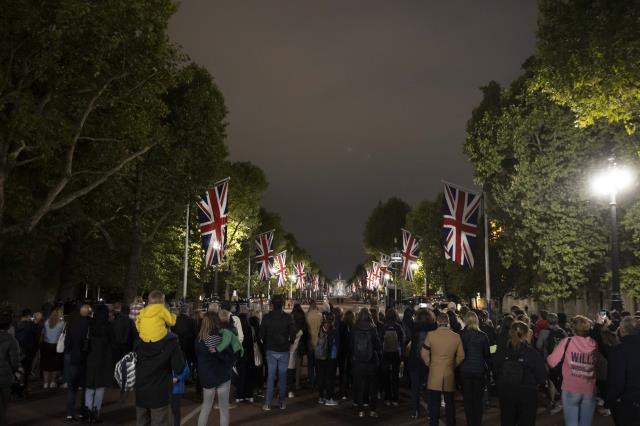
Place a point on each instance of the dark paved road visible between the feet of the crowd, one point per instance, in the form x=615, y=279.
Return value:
x=48, y=408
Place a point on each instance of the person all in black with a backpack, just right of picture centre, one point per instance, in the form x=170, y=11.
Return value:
x=366, y=353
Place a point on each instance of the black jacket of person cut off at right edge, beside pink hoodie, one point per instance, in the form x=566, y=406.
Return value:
x=623, y=378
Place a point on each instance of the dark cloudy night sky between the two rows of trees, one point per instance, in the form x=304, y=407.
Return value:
x=345, y=103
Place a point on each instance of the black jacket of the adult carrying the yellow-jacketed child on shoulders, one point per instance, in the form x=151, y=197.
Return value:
x=154, y=371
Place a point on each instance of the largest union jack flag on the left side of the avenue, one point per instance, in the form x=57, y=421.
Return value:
x=212, y=215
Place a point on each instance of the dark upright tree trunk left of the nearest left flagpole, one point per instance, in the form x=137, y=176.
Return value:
x=132, y=278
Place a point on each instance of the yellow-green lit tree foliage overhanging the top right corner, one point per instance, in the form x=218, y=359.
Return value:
x=588, y=58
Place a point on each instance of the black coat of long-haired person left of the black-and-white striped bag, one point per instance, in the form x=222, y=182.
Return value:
x=100, y=362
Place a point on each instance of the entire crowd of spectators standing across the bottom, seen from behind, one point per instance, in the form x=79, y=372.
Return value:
x=441, y=352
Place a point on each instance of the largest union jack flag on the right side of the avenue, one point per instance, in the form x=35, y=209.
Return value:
x=462, y=210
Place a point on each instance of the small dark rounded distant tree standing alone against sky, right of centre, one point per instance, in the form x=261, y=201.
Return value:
x=382, y=229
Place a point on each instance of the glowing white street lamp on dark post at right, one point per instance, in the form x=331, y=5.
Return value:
x=611, y=181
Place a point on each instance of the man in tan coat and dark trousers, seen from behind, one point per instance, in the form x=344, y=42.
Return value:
x=442, y=353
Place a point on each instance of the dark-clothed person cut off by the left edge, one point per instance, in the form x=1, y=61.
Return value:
x=9, y=363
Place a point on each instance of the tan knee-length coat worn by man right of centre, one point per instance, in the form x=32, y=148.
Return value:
x=445, y=353
